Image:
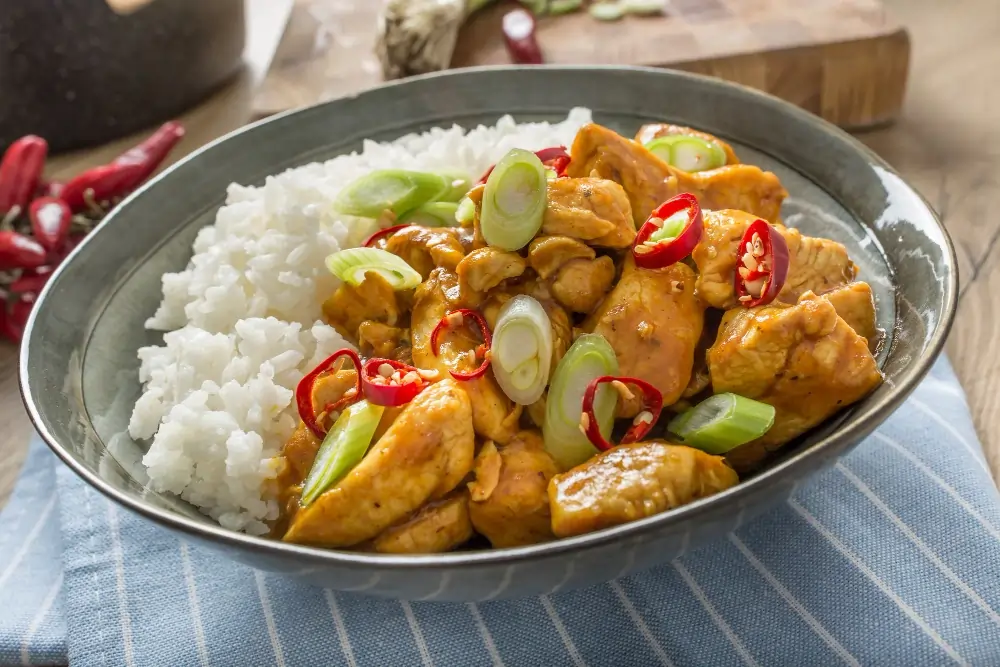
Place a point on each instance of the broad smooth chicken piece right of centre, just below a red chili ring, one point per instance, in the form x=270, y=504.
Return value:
x=653, y=319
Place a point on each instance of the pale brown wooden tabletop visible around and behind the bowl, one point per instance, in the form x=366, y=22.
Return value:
x=947, y=144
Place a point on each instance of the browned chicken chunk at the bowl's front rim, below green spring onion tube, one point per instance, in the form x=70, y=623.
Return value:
x=631, y=482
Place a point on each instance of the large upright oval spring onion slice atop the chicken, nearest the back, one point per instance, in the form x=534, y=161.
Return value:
x=514, y=200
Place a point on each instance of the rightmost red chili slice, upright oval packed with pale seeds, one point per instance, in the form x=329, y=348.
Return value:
x=761, y=265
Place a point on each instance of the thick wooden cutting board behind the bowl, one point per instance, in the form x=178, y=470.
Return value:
x=844, y=60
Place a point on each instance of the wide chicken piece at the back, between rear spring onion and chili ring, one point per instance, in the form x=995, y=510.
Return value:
x=649, y=181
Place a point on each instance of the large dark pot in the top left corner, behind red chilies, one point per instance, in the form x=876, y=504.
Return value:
x=78, y=74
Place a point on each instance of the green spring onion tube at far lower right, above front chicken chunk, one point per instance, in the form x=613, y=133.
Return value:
x=723, y=422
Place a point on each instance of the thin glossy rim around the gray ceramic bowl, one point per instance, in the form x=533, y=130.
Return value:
x=859, y=426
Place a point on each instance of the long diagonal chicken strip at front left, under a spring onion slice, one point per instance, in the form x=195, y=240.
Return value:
x=425, y=454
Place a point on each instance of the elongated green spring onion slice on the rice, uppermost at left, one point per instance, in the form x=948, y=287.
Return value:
x=396, y=190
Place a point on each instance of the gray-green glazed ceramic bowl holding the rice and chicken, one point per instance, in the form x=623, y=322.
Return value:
x=79, y=367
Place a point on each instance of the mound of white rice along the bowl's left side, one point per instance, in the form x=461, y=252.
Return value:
x=244, y=317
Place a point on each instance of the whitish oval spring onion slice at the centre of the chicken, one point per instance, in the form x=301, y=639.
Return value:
x=522, y=349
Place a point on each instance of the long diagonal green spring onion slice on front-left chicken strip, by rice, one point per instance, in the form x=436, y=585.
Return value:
x=343, y=448
